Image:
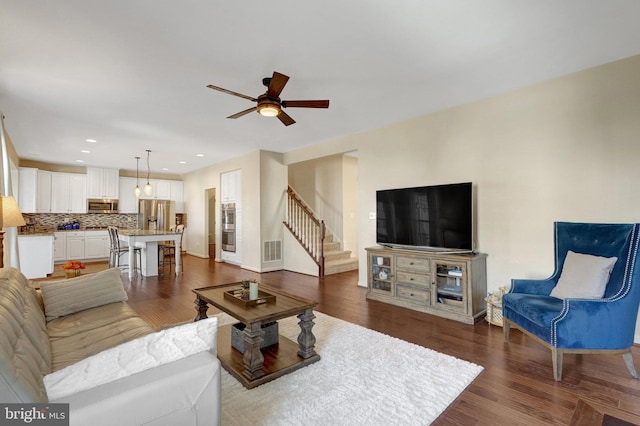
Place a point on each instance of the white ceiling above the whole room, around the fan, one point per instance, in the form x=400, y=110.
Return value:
x=132, y=74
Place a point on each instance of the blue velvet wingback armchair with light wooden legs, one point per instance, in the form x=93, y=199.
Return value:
x=582, y=325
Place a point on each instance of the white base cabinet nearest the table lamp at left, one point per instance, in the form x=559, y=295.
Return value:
x=36, y=255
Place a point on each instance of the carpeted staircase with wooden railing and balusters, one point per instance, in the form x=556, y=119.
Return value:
x=311, y=234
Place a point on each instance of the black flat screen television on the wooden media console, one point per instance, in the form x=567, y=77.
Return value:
x=434, y=218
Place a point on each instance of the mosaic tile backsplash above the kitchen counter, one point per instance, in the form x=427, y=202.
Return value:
x=46, y=222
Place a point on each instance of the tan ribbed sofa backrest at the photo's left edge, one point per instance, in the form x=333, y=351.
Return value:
x=25, y=354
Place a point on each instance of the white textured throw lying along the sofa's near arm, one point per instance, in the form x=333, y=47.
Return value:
x=132, y=357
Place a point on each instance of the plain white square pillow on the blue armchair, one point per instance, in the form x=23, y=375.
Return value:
x=583, y=276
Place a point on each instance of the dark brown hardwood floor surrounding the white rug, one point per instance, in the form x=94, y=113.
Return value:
x=515, y=388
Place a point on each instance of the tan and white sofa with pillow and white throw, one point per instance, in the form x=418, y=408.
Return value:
x=82, y=344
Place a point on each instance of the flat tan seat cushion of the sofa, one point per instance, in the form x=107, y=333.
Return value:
x=85, y=333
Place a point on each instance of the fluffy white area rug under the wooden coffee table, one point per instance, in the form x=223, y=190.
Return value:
x=363, y=378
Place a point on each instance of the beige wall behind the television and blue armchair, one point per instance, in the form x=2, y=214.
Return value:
x=563, y=150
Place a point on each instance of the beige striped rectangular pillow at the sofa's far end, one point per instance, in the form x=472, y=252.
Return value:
x=66, y=297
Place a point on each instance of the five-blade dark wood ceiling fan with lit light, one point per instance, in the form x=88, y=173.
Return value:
x=269, y=103
